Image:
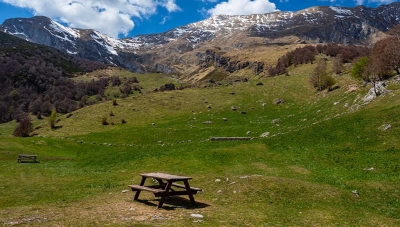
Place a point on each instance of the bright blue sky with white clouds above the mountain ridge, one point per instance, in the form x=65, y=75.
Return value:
x=126, y=18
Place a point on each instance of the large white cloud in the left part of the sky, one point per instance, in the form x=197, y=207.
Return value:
x=112, y=17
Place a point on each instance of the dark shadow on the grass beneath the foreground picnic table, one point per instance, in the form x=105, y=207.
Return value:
x=173, y=203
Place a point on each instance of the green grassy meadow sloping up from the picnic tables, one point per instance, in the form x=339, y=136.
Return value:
x=325, y=162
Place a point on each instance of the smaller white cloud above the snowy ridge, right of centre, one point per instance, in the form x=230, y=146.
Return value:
x=243, y=7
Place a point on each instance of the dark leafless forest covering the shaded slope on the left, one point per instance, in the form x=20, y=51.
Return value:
x=36, y=79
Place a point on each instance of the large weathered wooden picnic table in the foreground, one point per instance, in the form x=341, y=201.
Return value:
x=167, y=188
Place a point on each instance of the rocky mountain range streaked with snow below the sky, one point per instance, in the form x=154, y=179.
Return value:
x=178, y=50
